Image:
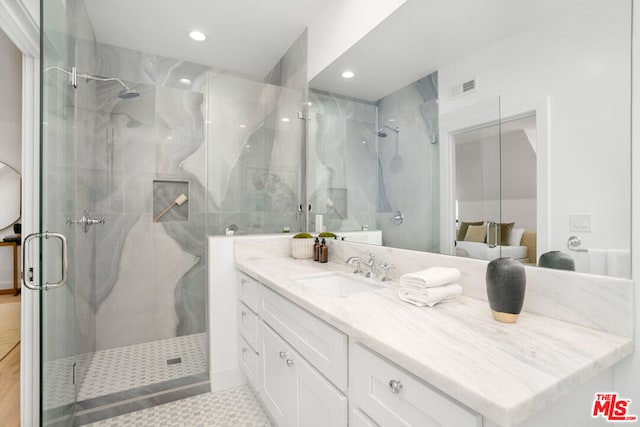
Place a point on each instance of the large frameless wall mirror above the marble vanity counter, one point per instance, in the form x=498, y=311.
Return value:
x=483, y=129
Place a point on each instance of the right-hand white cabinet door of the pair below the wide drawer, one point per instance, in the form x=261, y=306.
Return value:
x=320, y=404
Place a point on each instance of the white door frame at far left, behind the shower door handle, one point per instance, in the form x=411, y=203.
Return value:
x=19, y=24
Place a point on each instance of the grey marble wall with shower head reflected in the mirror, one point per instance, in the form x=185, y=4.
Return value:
x=409, y=166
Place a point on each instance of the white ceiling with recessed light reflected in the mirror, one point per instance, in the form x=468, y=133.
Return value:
x=422, y=36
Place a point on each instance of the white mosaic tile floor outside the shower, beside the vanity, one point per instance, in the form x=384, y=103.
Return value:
x=235, y=407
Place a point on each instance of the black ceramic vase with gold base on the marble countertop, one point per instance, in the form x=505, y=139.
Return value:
x=506, y=285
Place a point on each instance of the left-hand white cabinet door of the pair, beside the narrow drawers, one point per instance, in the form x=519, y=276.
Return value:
x=278, y=378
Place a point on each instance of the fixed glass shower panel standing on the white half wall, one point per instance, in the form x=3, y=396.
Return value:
x=254, y=156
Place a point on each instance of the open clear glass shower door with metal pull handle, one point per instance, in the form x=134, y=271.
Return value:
x=59, y=189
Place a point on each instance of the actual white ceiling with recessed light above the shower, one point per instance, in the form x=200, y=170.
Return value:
x=245, y=36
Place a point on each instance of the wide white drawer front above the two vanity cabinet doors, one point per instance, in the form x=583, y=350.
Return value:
x=321, y=344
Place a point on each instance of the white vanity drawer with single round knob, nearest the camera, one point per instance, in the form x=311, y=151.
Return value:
x=392, y=397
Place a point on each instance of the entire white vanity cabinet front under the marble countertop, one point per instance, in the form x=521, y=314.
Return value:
x=303, y=369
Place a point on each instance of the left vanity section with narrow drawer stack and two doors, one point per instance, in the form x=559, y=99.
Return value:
x=296, y=362
